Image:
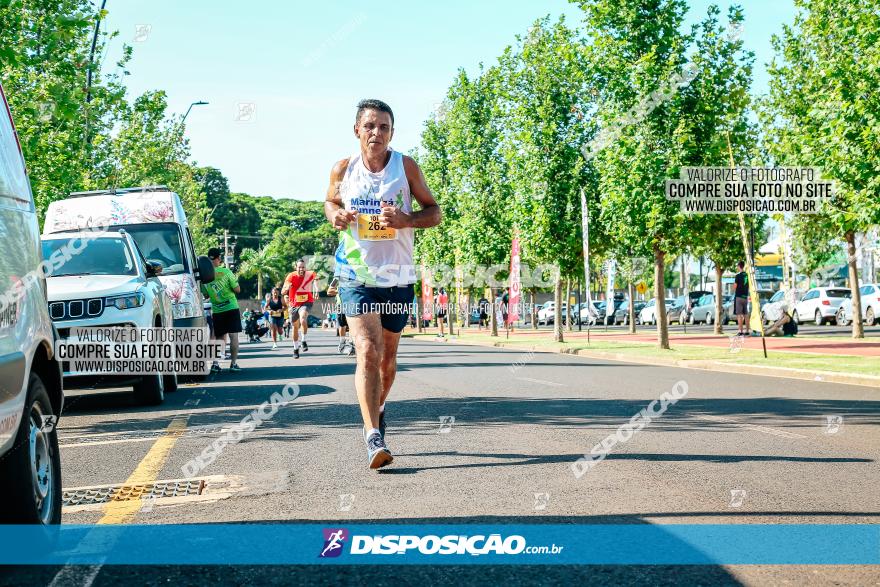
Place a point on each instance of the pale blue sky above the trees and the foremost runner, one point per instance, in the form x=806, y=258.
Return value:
x=282, y=78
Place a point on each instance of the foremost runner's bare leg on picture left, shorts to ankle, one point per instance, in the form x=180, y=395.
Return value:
x=366, y=329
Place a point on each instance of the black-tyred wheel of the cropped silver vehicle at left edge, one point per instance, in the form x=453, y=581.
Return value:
x=31, y=490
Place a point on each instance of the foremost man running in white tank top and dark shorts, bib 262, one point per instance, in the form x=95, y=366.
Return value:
x=370, y=202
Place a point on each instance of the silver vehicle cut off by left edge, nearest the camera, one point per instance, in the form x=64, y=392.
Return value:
x=31, y=396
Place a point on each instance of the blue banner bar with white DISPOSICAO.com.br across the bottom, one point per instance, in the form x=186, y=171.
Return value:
x=289, y=543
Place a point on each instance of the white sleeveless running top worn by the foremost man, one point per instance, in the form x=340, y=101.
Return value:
x=368, y=253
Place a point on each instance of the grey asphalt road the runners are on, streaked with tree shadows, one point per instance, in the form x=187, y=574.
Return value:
x=736, y=449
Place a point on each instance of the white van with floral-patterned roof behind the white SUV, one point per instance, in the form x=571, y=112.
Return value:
x=154, y=216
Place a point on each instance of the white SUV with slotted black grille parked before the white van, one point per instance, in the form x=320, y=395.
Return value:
x=109, y=283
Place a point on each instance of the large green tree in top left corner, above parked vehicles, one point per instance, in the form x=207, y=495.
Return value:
x=44, y=63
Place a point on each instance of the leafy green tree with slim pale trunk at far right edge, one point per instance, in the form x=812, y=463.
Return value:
x=823, y=111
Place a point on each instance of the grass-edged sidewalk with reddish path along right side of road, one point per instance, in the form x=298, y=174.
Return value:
x=837, y=360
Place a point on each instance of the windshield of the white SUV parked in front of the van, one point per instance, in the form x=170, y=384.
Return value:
x=104, y=256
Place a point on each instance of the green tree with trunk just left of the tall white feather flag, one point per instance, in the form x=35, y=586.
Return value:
x=546, y=90
